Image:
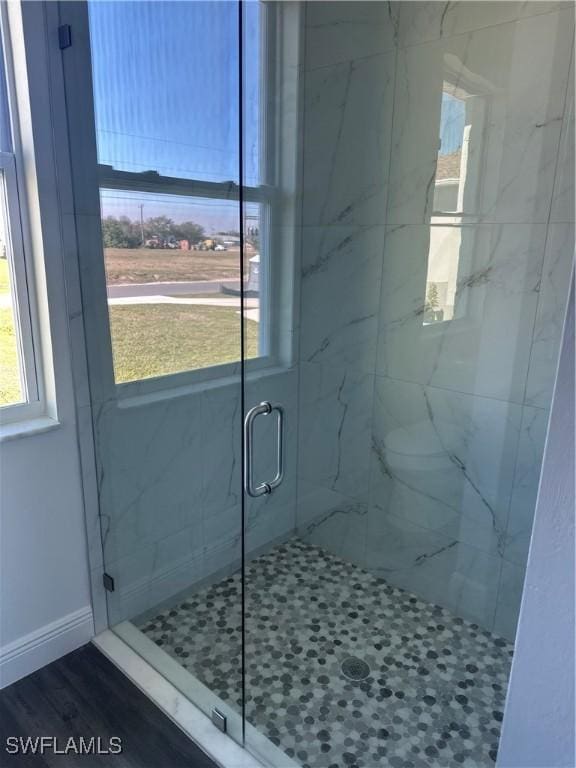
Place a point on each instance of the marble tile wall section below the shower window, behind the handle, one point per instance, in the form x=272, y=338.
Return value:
x=170, y=488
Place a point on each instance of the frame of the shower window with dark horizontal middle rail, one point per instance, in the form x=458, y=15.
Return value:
x=265, y=194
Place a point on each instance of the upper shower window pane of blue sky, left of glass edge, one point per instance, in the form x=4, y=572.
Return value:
x=166, y=95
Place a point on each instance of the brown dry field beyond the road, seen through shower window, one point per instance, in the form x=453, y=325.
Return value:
x=146, y=265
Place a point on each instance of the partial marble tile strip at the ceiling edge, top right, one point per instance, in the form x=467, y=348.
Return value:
x=422, y=22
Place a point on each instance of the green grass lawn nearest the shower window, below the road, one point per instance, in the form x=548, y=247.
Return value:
x=156, y=339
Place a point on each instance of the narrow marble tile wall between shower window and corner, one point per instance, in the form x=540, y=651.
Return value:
x=348, y=72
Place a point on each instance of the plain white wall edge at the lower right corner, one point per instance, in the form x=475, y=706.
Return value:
x=538, y=730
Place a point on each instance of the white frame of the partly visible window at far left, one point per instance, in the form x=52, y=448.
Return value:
x=20, y=273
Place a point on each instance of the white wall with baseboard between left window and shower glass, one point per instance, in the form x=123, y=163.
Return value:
x=44, y=587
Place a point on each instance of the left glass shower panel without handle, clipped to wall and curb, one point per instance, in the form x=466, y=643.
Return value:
x=160, y=264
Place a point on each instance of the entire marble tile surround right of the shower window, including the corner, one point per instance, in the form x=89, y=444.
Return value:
x=421, y=433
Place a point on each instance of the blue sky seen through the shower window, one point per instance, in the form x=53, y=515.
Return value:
x=166, y=89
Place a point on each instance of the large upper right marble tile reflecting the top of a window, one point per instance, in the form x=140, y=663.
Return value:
x=501, y=92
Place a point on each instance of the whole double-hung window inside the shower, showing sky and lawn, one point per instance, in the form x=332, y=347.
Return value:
x=166, y=105
